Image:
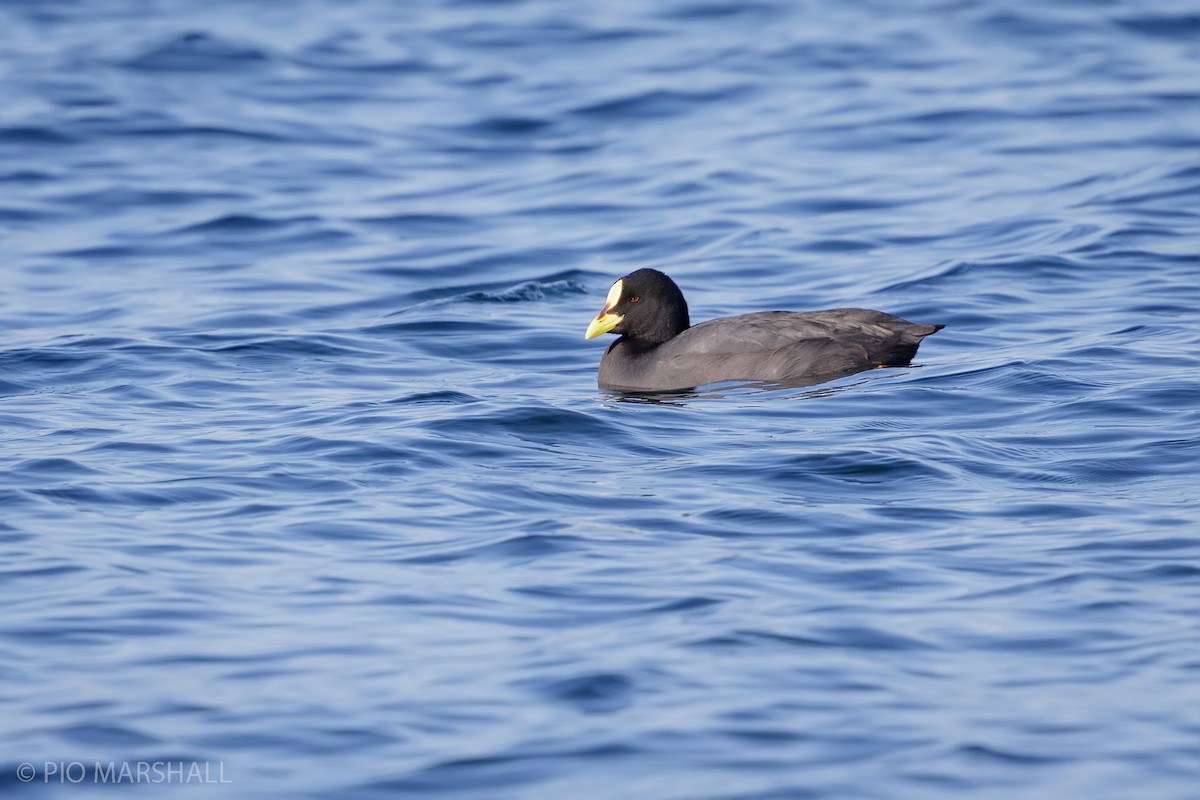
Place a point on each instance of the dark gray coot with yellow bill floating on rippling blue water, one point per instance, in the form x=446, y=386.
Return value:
x=659, y=351
